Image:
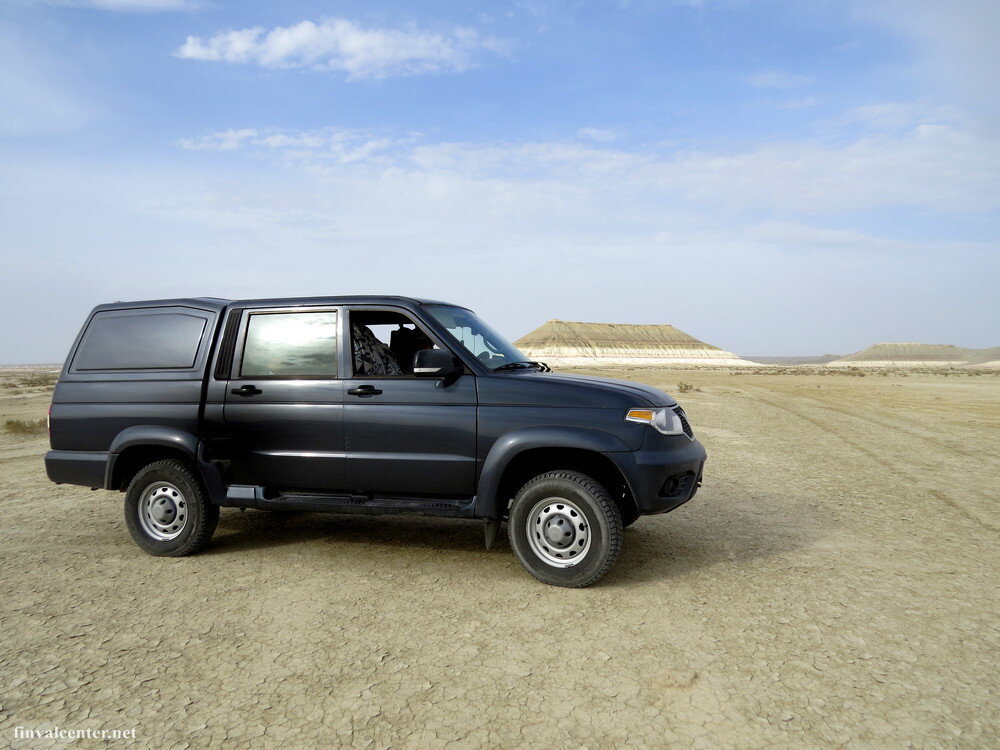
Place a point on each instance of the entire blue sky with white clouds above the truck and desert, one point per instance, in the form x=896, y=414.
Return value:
x=770, y=176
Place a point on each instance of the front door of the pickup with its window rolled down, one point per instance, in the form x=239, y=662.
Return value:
x=404, y=435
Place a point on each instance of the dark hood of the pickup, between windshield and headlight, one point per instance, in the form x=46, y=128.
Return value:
x=560, y=389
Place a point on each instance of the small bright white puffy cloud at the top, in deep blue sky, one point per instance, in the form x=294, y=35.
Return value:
x=340, y=45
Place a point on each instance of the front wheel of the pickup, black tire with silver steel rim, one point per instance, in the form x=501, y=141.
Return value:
x=598, y=532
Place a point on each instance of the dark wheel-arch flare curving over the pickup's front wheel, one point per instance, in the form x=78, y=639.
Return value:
x=512, y=443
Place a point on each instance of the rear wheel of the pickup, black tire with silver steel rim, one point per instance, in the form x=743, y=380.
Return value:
x=169, y=482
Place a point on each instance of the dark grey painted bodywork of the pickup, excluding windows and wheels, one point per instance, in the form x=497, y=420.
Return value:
x=420, y=445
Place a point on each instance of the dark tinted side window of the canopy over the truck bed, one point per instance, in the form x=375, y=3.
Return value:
x=127, y=340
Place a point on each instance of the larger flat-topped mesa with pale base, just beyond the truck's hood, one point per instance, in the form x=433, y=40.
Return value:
x=567, y=343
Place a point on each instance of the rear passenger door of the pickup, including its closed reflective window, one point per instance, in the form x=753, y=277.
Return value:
x=284, y=400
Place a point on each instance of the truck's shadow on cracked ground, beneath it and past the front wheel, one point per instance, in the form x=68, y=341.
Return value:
x=715, y=528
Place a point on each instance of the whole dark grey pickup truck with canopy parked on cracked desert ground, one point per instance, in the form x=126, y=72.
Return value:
x=360, y=405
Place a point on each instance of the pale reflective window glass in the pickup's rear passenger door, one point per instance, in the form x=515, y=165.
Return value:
x=293, y=346
